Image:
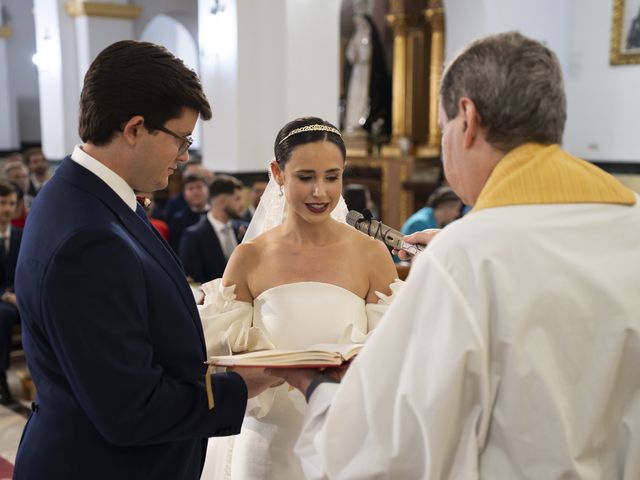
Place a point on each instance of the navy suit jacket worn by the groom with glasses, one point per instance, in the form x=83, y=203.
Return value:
x=114, y=343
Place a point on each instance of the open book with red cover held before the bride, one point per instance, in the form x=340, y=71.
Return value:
x=315, y=356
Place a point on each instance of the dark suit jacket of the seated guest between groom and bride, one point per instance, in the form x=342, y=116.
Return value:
x=201, y=253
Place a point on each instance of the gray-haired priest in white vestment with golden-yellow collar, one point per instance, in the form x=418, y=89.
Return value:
x=513, y=351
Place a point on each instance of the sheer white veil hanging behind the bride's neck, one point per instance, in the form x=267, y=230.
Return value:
x=272, y=210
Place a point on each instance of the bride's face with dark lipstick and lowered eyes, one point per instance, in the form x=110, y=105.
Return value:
x=312, y=180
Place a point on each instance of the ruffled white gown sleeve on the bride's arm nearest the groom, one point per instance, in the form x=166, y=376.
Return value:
x=228, y=323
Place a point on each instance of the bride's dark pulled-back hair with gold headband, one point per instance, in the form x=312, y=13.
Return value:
x=302, y=131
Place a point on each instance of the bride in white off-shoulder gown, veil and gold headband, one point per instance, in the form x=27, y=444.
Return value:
x=308, y=278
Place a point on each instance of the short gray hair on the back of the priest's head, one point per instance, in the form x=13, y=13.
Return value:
x=516, y=85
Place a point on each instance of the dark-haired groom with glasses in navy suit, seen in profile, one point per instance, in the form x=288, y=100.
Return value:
x=110, y=329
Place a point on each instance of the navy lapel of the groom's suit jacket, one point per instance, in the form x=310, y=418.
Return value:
x=145, y=234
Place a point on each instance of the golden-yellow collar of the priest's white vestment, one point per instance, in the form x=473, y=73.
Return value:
x=534, y=174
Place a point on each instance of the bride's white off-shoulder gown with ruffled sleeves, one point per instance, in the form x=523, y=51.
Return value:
x=289, y=316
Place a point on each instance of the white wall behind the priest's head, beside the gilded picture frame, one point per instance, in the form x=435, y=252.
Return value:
x=602, y=100
